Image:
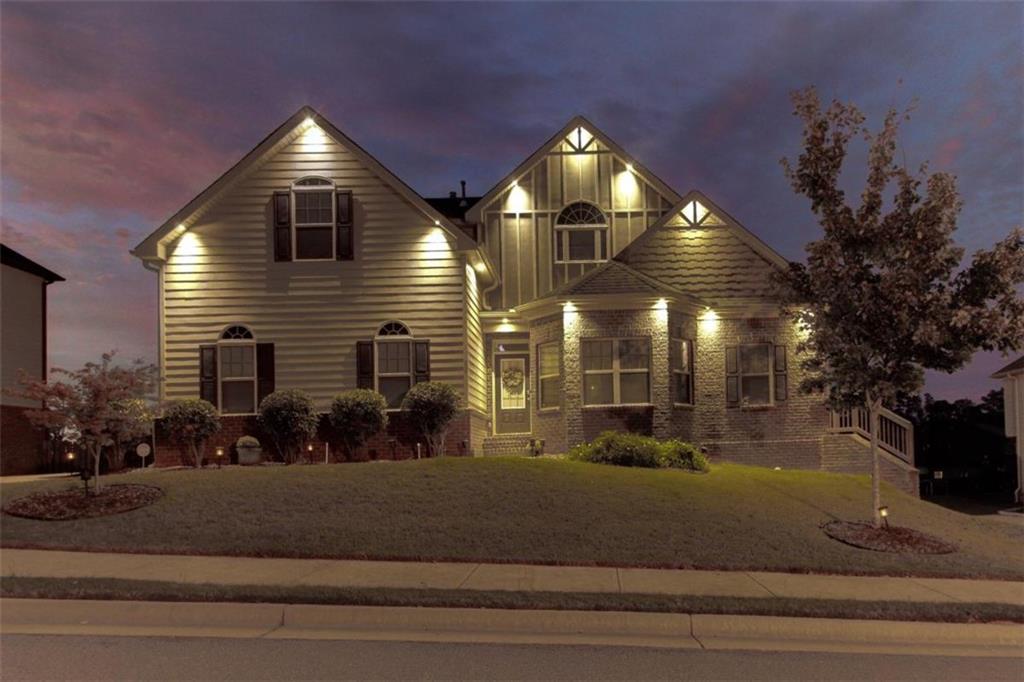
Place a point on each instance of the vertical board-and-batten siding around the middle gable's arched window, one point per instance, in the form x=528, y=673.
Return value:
x=519, y=225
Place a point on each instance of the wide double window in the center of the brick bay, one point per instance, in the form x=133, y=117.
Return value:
x=616, y=371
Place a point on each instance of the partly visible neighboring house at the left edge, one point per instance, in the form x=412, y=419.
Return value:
x=23, y=348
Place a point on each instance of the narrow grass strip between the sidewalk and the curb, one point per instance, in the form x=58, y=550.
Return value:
x=50, y=588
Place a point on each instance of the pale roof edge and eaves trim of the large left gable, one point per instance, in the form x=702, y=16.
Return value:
x=152, y=247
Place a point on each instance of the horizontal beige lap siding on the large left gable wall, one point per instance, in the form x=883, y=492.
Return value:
x=223, y=272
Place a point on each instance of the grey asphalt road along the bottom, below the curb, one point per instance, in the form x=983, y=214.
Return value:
x=76, y=658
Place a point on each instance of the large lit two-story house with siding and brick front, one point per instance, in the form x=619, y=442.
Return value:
x=580, y=294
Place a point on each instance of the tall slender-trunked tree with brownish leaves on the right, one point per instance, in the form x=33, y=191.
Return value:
x=884, y=296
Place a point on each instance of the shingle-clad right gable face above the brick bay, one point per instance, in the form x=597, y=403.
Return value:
x=717, y=260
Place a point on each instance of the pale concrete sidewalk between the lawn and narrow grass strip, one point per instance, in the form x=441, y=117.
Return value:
x=399, y=575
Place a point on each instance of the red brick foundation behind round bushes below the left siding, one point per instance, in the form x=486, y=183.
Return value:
x=398, y=443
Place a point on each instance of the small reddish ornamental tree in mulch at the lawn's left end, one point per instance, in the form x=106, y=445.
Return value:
x=91, y=403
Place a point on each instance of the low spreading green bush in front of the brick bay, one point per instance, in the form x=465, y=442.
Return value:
x=631, y=450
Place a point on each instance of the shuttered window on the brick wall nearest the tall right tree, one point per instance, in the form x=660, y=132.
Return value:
x=755, y=374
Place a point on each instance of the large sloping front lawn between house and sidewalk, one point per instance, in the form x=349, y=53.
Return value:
x=526, y=510
